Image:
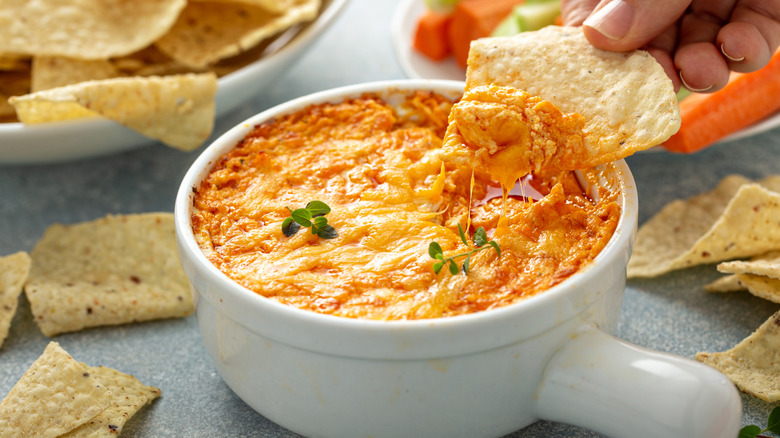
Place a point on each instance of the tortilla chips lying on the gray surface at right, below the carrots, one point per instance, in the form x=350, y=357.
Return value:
x=736, y=226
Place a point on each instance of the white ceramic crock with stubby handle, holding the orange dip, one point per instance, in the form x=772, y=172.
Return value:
x=484, y=374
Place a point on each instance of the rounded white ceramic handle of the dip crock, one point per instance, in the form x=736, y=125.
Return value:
x=618, y=389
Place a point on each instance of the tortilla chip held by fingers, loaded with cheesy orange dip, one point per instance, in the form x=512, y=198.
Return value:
x=549, y=100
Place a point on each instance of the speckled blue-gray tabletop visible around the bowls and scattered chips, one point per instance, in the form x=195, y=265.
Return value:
x=671, y=313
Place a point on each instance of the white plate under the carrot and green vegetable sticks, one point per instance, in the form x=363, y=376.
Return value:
x=416, y=65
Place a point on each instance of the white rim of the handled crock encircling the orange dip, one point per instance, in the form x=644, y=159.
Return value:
x=464, y=330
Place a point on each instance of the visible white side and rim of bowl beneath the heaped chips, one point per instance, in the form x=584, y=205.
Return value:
x=76, y=139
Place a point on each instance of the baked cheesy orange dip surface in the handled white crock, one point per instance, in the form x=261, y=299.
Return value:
x=378, y=167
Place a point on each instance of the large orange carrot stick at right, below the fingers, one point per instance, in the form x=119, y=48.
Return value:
x=745, y=100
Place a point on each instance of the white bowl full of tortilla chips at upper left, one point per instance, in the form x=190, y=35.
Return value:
x=129, y=76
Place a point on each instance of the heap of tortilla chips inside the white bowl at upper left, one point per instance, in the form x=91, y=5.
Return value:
x=150, y=65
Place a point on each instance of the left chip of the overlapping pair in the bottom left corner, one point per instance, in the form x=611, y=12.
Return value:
x=54, y=396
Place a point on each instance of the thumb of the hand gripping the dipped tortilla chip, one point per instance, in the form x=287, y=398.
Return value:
x=622, y=25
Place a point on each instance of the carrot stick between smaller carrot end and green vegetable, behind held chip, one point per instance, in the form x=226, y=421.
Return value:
x=474, y=19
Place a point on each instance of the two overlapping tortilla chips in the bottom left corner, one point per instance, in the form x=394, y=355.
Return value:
x=60, y=397
